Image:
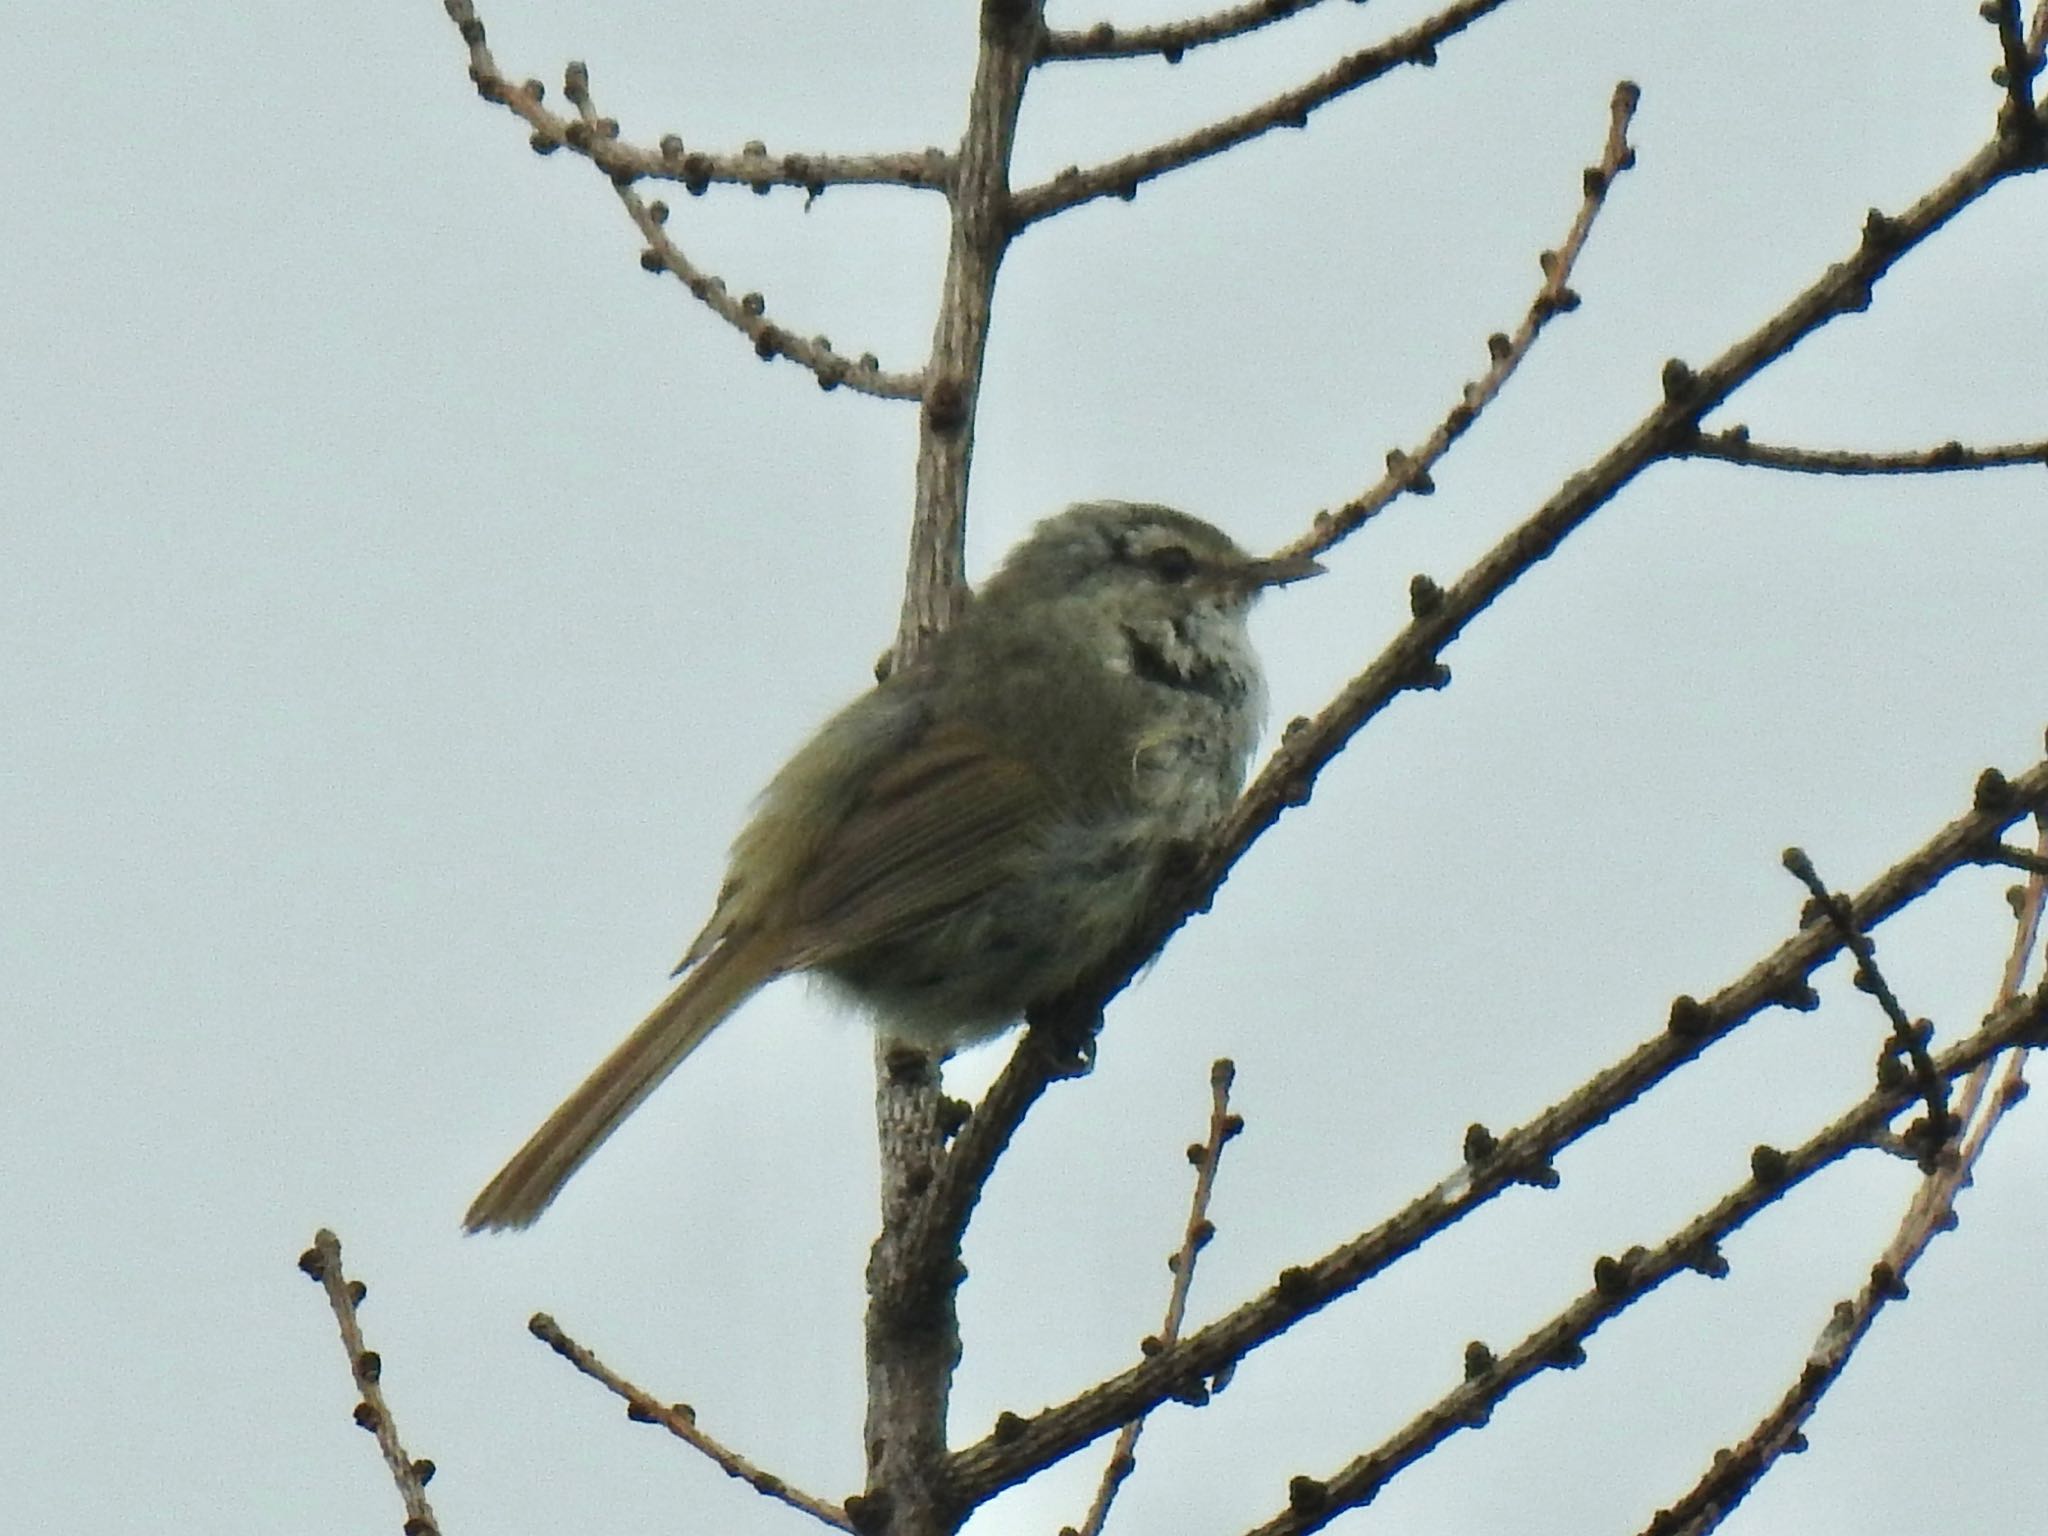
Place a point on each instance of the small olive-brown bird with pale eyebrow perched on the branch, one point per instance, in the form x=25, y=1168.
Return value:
x=982, y=828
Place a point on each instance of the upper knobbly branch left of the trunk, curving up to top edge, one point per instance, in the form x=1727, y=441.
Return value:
x=671, y=161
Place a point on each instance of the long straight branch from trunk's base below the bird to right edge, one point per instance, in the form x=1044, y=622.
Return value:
x=1023, y=1447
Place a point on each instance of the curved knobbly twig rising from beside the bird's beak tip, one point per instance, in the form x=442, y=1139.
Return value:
x=1410, y=472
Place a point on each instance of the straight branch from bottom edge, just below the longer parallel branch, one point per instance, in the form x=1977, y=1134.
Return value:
x=1619, y=1283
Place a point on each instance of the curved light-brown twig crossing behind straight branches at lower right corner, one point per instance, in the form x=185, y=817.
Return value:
x=1932, y=1211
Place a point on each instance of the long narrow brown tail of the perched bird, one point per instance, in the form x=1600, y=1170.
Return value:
x=675, y=1029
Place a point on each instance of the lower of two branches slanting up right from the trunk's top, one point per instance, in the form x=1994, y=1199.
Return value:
x=1289, y=110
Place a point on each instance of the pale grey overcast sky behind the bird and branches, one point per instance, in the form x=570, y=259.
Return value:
x=402, y=595
